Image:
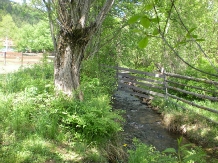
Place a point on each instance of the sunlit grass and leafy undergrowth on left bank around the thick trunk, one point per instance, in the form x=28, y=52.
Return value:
x=38, y=126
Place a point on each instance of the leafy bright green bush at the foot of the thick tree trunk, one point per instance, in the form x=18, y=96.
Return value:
x=90, y=120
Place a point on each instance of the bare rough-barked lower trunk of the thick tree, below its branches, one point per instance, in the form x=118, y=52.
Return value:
x=70, y=53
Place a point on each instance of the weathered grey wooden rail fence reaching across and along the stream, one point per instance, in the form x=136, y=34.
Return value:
x=165, y=85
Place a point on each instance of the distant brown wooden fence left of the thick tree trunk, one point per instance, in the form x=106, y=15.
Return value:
x=10, y=58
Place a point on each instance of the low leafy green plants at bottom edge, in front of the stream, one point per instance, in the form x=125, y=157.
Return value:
x=148, y=154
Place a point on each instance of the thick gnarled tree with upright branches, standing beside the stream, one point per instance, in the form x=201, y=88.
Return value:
x=76, y=23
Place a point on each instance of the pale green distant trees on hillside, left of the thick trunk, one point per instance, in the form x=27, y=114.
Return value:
x=22, y=25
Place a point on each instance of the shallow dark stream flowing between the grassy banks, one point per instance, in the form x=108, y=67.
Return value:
x=143, y=123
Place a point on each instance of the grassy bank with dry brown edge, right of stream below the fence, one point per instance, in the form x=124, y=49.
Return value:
x=191, y=122
